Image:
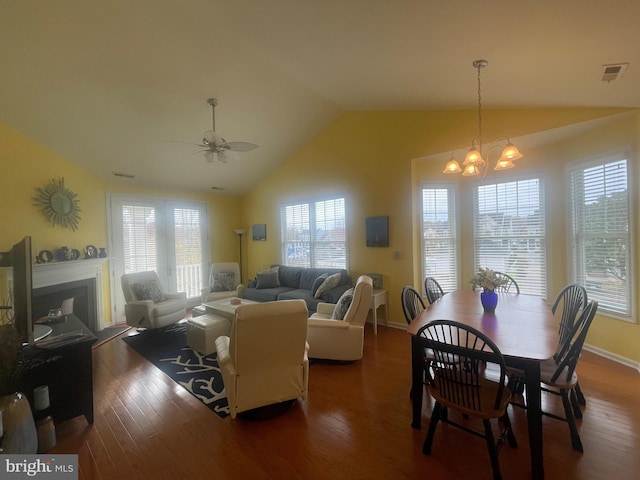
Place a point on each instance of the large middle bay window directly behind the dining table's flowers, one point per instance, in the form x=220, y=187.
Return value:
x=509, y=232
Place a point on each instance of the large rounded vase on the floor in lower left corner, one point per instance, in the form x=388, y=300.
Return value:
x=20, y=435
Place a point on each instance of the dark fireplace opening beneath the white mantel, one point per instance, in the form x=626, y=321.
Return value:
x=83, y=293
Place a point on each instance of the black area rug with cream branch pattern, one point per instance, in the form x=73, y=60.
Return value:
x=199, y=374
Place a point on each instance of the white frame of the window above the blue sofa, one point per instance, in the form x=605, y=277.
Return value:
x=311, y=243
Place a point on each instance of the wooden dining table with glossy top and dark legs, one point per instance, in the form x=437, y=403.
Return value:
x=523, y=328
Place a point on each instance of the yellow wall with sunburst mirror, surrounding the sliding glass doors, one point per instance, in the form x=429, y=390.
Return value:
x=27, y=166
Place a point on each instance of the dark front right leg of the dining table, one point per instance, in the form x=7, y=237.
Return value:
x=534, y=417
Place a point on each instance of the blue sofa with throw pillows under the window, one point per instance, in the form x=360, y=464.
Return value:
x=297, y=282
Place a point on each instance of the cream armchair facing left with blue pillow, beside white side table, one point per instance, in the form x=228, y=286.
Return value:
x=341, y=339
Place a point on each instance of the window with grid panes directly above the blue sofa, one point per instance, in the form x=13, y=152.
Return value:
x=314, y=234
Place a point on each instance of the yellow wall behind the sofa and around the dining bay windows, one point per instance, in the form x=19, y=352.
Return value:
x=369, y=158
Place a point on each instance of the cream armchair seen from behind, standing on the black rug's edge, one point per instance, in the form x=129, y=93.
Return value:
x=264, y=358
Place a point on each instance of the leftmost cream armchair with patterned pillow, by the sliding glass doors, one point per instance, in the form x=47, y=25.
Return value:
x=148, y=305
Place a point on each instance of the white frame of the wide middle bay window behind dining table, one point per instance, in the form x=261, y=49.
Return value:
x=543, y=239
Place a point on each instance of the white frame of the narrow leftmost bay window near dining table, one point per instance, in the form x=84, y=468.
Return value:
x=448, y=283
